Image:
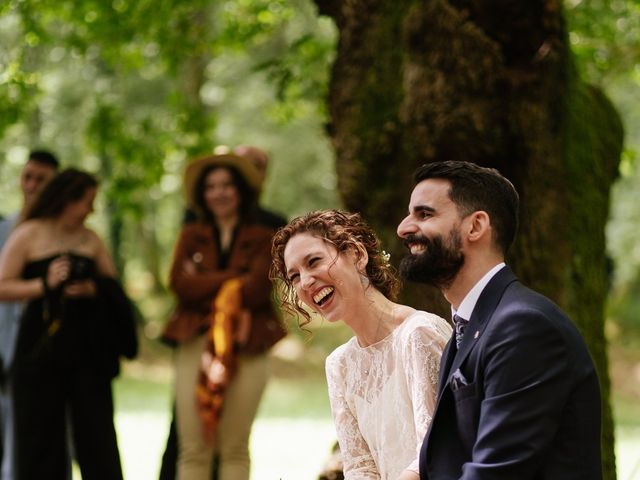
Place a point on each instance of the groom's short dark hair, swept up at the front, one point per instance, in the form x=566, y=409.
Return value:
x=476, y=188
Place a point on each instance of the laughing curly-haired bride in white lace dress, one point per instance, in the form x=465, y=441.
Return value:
x=383, y=382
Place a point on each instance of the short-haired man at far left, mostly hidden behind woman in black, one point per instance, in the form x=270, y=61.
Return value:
x=39, y=168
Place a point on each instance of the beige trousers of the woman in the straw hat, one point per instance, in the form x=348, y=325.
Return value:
x=241, y=402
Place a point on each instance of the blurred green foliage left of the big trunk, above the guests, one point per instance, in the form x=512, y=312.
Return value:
x=133, y=89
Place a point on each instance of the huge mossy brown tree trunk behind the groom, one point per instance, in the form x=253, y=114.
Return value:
x=492, y=82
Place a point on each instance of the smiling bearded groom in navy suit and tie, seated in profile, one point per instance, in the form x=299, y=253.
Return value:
x=518, y=392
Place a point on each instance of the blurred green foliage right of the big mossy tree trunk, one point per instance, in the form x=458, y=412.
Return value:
x=604, y=36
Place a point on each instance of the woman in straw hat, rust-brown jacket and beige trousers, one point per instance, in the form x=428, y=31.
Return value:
x=223, y=252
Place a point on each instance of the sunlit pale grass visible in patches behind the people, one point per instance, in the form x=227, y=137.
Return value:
x=293, y=433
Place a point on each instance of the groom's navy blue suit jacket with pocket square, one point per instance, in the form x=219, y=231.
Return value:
x=530, y=408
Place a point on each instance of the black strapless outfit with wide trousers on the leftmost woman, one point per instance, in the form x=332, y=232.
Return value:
x=57, y=383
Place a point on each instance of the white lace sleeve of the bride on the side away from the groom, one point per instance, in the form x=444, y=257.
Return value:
x=358, y=462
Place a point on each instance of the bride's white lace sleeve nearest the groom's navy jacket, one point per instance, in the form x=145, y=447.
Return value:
x=421, y=361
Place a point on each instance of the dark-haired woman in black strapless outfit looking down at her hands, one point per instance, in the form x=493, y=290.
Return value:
x=65, y=354
